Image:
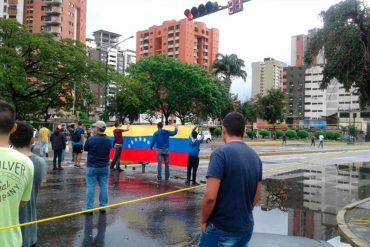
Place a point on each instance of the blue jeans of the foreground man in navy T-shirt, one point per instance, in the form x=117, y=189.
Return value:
x=216, y=237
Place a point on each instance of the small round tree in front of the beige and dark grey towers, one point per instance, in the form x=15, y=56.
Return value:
x=272, y=106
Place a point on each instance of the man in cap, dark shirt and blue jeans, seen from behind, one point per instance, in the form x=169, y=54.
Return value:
x=98, y=148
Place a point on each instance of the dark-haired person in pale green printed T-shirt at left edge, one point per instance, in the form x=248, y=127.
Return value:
x=16, y=175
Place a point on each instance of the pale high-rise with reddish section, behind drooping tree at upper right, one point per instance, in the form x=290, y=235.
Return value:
x=299, y=45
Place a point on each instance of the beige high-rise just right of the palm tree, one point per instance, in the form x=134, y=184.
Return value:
x=266, y=75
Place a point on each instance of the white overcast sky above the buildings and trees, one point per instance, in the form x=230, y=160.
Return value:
x=263, y=29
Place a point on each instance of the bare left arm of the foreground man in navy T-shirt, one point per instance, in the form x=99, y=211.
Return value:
x=209, y=200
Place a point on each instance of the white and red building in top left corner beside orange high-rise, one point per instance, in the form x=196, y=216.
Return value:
x=12, y=9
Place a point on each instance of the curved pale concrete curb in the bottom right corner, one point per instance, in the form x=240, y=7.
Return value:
x=345, y=231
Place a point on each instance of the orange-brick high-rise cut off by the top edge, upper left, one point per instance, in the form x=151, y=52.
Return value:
x=64, y=19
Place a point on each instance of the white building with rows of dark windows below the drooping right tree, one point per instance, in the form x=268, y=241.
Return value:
x=321, y=103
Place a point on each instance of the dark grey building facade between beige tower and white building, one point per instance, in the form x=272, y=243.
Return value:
x=294, y=79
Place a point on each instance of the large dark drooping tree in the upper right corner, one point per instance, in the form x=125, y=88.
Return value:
x=345, y=41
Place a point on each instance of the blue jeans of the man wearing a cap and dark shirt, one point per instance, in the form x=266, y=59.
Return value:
x=94, y=175
